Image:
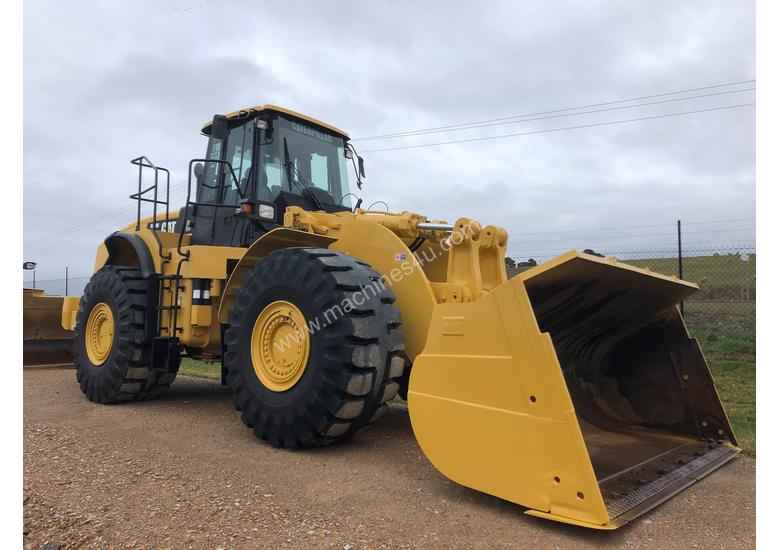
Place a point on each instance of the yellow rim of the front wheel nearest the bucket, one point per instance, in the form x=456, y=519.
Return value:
x=280, y=346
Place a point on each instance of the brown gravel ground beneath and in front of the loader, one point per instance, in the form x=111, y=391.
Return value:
x=183, y=471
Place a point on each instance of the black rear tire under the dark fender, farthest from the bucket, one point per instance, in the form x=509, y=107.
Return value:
x=125, y=374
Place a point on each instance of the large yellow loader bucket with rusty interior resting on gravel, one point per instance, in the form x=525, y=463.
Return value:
x=574, y=390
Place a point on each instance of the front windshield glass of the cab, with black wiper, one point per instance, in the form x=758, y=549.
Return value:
x=317, y=157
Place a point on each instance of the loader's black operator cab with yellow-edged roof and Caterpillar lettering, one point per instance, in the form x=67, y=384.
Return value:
x=258, y=162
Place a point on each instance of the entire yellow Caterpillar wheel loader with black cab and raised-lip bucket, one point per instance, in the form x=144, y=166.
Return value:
x=572, y=389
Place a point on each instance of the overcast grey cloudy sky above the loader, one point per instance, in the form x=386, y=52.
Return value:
x=107, y=81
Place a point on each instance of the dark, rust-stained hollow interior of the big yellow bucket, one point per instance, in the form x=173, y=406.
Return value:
x=647, y=408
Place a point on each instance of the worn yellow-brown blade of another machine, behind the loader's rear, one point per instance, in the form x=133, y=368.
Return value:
x=45, y=342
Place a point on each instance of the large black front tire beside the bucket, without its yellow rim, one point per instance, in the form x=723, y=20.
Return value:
x=353, y=359
